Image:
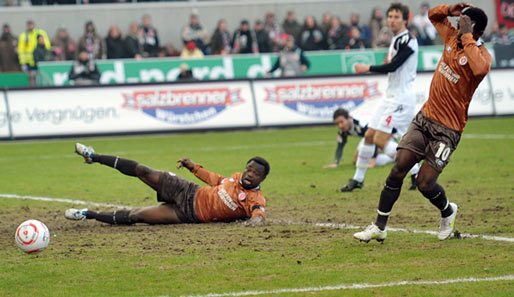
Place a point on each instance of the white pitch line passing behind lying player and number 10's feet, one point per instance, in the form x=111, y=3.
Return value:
x=326, y=225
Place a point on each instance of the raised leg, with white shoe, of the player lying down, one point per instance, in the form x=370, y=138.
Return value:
x=126, y=166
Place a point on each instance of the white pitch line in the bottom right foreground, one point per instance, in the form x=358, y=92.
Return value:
x=360, y=286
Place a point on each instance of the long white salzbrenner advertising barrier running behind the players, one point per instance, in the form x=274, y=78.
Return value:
x=207, y=105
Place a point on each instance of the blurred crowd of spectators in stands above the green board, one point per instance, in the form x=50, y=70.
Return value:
x=22, y=52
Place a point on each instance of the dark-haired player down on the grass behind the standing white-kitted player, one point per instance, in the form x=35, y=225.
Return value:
x=350, y=126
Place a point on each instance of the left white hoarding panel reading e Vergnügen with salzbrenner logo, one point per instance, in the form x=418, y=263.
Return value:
x=131, y=109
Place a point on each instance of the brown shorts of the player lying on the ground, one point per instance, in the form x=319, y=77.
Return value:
x=180, y=194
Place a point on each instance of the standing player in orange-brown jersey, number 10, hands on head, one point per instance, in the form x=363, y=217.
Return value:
x=436, y=130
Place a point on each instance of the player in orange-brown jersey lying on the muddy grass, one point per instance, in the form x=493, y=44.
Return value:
x=225, y=199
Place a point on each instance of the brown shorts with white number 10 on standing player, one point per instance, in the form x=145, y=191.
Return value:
x=430, y=141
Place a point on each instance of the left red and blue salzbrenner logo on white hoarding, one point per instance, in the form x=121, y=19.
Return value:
x=182, y=106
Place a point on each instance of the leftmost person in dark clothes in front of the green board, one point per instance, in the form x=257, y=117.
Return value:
x=84, y=71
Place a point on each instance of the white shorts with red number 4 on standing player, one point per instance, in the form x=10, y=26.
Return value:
x=389, y=115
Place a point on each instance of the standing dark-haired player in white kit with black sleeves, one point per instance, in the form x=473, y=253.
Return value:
x=396, y=111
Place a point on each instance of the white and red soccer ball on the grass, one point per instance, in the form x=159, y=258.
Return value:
x=32, y=236
